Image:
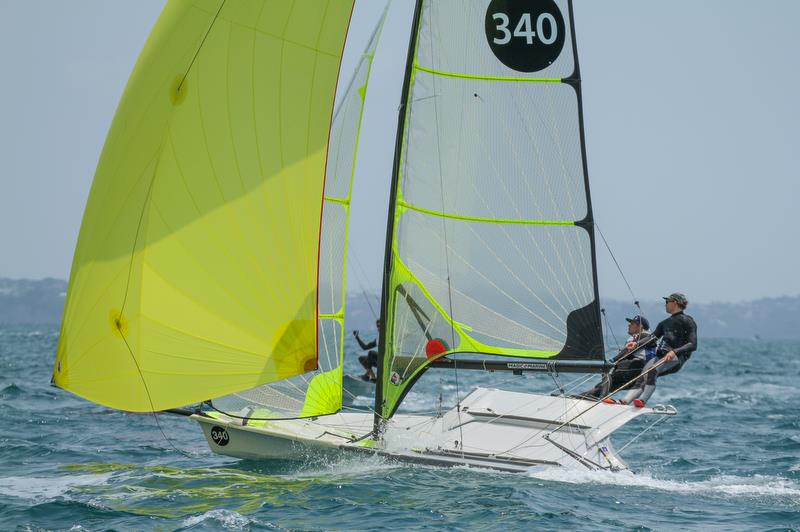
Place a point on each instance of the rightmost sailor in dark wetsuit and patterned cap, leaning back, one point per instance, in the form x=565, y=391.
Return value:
x=678, y=340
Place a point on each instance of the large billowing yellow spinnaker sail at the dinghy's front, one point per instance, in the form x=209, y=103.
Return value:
x=195, y=273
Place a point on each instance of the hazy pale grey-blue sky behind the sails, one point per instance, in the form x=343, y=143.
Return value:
x=691, y=114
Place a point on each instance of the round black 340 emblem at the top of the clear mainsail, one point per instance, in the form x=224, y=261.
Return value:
x=525, y=35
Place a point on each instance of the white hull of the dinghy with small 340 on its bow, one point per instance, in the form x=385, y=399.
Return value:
x=497, y=429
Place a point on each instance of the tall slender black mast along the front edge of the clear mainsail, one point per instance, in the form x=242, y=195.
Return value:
x=387, y=263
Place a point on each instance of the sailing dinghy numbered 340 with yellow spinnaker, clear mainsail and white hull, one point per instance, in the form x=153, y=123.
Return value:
x=210, y=267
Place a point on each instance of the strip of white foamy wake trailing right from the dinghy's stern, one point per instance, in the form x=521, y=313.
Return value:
x=757, y=485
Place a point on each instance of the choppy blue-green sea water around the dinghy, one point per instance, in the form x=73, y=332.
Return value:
x=729, y=461
